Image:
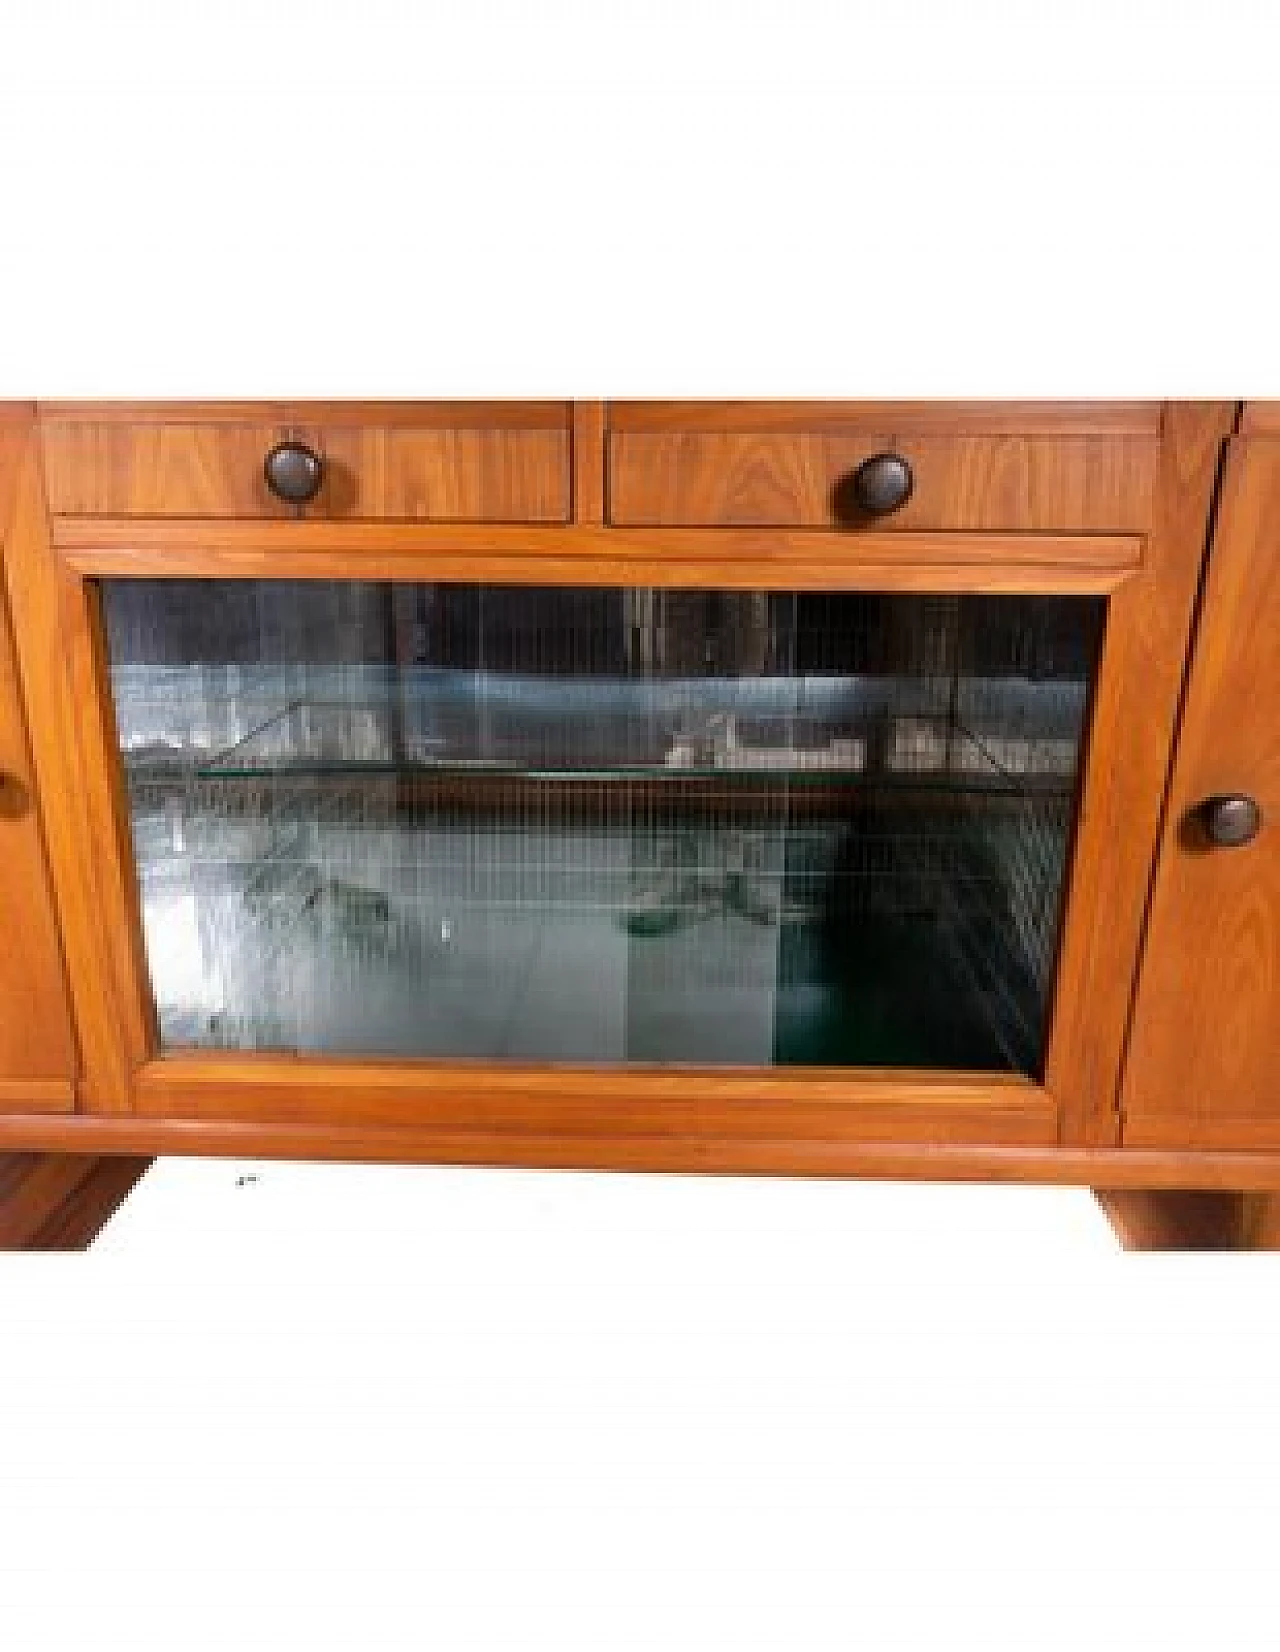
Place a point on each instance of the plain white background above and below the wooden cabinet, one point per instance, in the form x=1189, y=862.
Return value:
x=420, y=1408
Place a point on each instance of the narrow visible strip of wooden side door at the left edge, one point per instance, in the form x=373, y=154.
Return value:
x=37, y=1047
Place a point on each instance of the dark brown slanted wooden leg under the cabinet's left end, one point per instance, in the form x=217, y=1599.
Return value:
x=62, y=1202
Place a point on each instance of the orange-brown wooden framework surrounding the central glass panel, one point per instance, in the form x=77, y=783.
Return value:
x=569, y=1114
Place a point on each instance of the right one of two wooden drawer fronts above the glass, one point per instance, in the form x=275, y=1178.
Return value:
x=977, y=483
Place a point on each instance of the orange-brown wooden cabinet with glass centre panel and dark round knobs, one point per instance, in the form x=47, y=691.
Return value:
x=825, y=789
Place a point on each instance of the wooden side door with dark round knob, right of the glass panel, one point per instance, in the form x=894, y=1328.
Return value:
x=1205, y=1056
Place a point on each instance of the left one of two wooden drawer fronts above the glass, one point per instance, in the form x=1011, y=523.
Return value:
x=496, y=463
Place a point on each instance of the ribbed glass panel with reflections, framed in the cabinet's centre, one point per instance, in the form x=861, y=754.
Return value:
x=602, y=825
